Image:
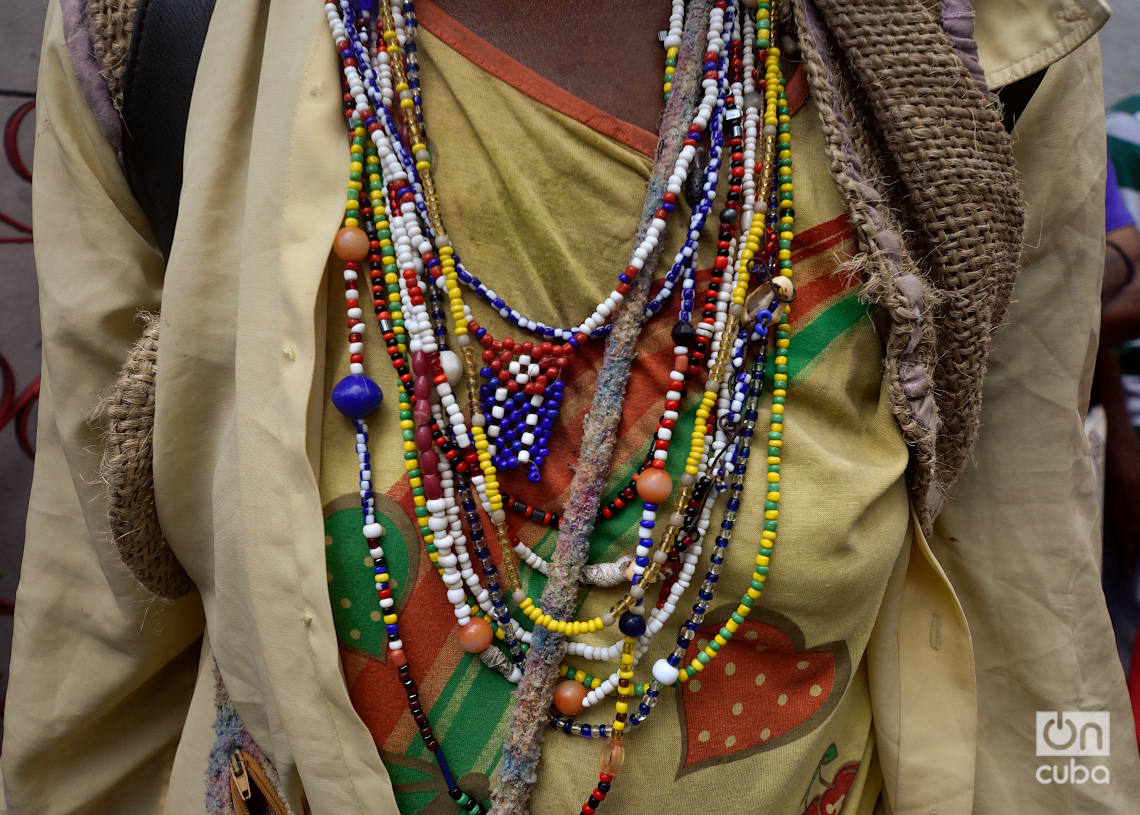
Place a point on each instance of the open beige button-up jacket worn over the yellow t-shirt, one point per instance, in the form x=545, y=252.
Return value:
x=111, y=700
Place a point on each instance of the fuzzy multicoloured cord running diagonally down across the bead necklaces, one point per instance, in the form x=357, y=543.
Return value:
x=523, y=748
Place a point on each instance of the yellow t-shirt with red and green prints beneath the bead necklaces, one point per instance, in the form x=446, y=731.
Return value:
x=543, y=209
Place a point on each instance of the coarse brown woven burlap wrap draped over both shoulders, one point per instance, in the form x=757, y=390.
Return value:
x=917, y=149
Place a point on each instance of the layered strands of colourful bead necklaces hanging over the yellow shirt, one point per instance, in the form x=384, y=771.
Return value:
x=394, y=242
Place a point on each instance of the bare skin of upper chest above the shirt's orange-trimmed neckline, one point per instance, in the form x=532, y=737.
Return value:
x=605, y=53
